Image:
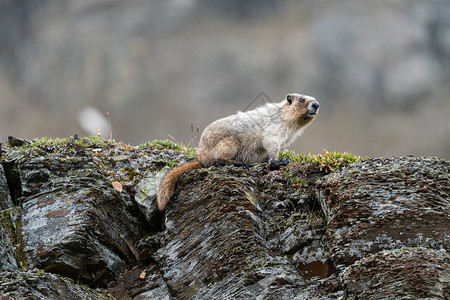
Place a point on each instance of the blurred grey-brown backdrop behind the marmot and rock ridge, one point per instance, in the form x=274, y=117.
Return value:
x=380, y=69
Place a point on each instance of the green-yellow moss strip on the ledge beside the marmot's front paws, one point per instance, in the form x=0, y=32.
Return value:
x=327, y=161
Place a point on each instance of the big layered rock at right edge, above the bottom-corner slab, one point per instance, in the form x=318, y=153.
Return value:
x=383, y=204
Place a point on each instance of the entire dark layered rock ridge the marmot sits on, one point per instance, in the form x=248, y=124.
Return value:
x=84, y=225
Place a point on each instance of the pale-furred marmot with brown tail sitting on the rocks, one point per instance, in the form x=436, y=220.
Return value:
x=246, y=138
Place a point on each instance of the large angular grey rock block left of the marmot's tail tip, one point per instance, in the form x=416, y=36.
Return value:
x=78, y=234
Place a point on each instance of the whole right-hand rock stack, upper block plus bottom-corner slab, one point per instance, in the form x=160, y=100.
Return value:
x=388, y=227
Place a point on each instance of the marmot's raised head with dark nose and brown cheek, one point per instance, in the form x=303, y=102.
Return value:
x=300, y=109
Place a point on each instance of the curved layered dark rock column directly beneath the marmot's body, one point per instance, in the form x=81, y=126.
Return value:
x=215, y=241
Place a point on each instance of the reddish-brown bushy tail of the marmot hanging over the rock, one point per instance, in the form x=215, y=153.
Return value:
x=167, y=185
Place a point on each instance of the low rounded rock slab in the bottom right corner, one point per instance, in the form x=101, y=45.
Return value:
x=405, y=273
